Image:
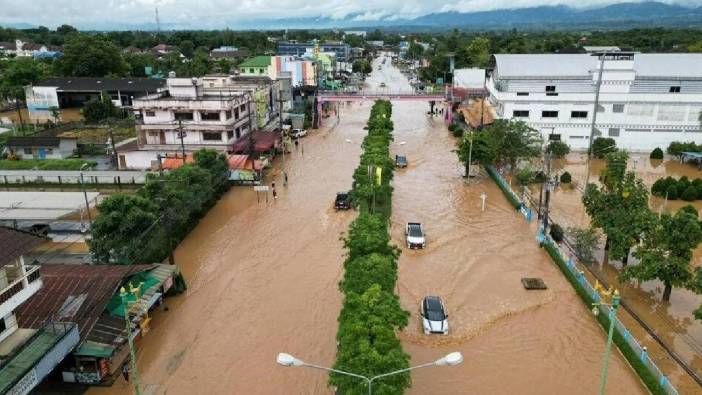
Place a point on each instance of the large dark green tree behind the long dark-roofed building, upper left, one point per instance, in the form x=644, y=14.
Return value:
x=90, y=56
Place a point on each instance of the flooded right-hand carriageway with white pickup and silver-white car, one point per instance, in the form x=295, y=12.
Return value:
x=513, y=340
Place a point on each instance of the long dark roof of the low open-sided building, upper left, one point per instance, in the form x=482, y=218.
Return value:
x=85, y=84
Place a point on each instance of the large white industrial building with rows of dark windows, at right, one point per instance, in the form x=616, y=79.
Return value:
x=645, y=101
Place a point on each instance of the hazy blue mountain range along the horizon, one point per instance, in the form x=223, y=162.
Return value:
x=616, y=16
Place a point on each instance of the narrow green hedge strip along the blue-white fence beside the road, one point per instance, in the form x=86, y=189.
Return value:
x=634, y=359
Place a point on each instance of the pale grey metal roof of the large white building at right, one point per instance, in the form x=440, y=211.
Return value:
x=674, y=65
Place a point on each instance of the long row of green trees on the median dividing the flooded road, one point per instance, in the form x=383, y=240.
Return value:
x=371, y=313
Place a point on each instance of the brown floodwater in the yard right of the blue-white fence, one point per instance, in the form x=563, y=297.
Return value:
x=672, y=321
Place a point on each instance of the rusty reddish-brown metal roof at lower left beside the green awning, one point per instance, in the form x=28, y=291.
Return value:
x=90, y=286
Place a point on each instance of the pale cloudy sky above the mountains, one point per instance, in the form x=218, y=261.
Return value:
x=230, y=13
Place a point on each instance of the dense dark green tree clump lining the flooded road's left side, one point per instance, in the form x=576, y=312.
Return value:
x=145, y=227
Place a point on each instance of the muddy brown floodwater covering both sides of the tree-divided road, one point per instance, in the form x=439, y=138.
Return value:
x=263, y=279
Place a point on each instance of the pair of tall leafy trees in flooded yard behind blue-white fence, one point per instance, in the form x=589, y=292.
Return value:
x=662, y=244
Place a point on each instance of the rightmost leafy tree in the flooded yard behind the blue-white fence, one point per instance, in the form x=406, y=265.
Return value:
x=666, y=252
